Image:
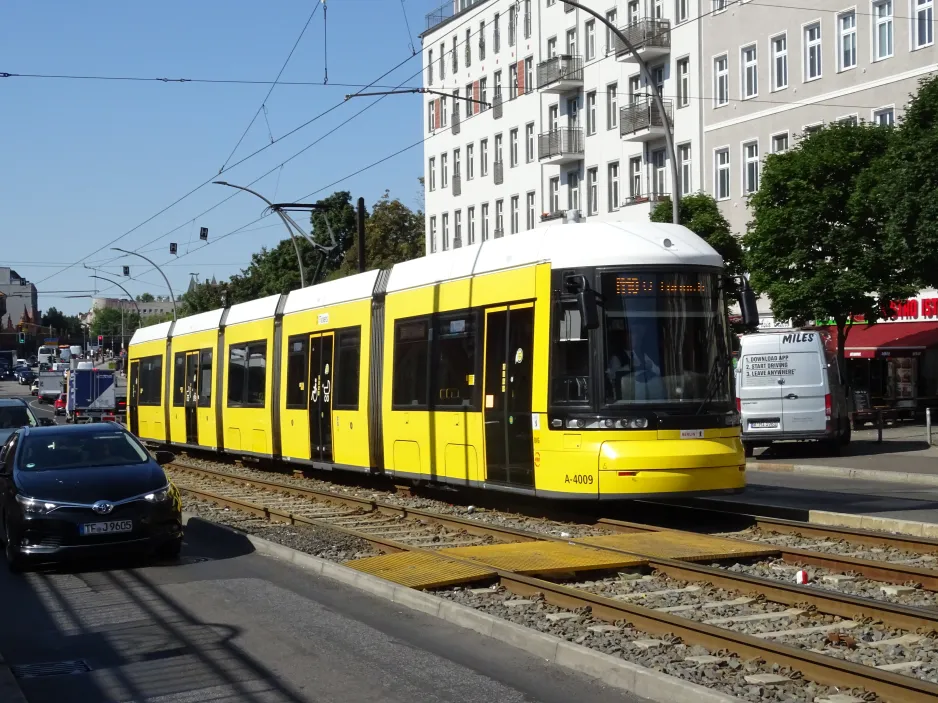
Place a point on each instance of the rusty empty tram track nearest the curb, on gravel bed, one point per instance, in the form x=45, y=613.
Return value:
x=727, y=619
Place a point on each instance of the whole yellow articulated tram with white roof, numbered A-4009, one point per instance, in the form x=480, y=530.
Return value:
x=583, y=361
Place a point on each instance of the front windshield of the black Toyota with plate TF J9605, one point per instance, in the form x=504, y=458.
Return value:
x=74, y=450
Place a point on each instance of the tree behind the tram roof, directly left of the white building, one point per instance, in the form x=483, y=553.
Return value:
x=393, y=233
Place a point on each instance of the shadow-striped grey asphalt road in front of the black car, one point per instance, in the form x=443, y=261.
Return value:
x=225, y=624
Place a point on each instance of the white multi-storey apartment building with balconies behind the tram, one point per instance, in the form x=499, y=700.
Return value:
x=541, y=113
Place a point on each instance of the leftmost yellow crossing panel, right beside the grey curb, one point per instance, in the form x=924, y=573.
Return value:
x=420, y=569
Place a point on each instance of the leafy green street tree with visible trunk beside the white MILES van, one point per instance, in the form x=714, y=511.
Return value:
x=812, y=244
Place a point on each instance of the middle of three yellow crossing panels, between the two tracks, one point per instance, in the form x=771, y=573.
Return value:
x=543, y=557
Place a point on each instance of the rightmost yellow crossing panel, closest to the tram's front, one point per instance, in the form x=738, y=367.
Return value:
x=685, y=546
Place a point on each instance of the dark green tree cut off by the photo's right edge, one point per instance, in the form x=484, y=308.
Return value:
x=904, y=189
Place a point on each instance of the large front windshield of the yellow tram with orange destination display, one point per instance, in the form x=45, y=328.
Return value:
x=663, y=334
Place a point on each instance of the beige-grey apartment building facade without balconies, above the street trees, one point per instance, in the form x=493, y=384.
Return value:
x=772, y=74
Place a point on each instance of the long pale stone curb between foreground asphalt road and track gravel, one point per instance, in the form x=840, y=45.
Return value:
x=619, y=673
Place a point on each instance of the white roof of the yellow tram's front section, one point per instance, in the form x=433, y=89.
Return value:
x=572, y=245
